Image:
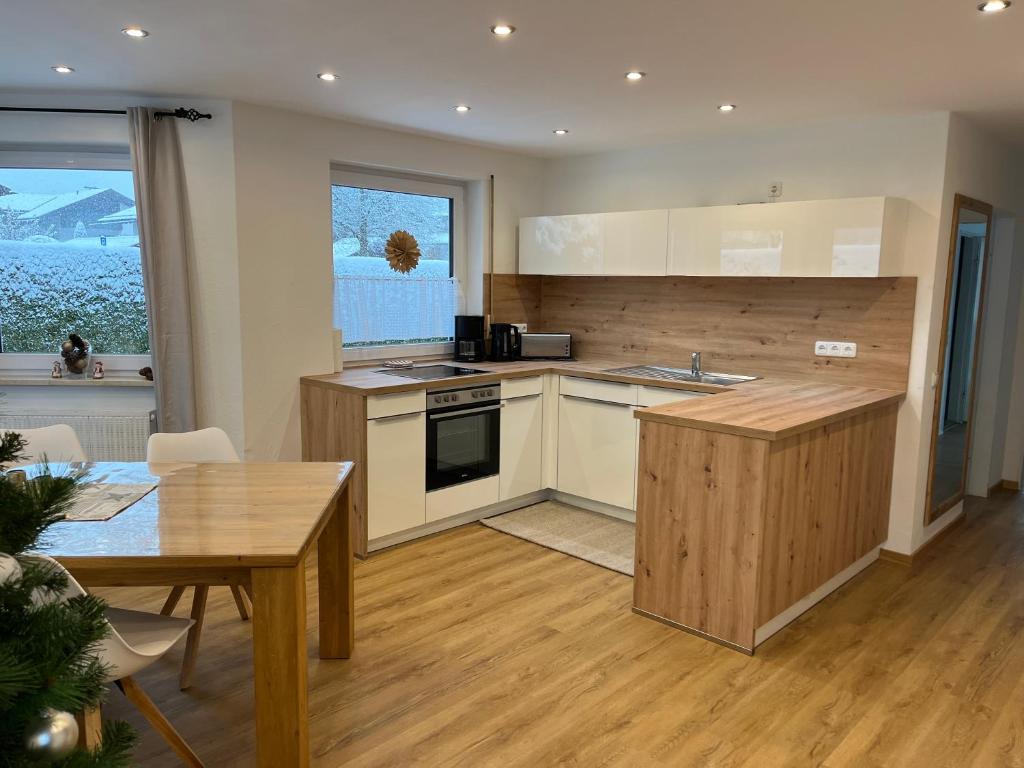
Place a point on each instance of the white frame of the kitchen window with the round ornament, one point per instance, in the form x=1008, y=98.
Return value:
x=413, y=185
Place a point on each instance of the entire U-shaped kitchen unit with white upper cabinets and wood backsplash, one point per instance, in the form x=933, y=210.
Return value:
x=565, y=412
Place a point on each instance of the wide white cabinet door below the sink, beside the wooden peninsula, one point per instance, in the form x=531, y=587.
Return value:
x=598, y=451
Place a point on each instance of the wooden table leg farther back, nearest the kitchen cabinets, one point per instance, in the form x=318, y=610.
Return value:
x=334, y=568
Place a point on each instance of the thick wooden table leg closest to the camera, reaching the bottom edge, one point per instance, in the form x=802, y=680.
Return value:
x=280, y=662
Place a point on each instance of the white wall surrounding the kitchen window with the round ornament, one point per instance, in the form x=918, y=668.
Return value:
x=282, y=166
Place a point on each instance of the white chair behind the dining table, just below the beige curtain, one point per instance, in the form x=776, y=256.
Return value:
x=203, y=447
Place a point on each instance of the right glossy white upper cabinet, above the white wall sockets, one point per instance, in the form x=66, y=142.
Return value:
x=857, y=238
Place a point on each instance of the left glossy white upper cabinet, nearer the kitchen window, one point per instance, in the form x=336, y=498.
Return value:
x=631, y=243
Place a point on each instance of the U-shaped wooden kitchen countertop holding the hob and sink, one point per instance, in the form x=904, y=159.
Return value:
x=767, y=409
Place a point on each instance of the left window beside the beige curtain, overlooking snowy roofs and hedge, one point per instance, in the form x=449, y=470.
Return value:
x=70, y=259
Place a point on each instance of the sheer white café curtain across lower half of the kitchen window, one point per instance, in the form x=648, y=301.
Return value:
x=378, y=311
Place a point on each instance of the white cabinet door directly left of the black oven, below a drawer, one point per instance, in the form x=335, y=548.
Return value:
x=397, y=483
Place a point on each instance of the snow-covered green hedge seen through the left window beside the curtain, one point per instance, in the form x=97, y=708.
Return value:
x=49, y=290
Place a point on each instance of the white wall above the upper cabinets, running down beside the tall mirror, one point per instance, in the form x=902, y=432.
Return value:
x=908, y=157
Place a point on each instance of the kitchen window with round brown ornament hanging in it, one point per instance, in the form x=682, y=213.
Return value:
x=374, y=306
